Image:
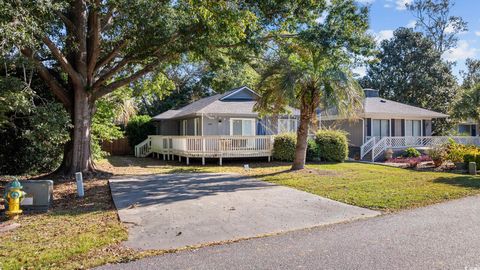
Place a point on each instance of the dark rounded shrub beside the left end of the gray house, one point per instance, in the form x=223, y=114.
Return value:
x=138, y=129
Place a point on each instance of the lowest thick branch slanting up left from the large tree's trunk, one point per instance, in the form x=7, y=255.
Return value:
x=57, y=89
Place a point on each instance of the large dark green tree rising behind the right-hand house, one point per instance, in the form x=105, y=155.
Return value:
x=410, y=70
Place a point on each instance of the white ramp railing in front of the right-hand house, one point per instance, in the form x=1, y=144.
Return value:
x=416, y=142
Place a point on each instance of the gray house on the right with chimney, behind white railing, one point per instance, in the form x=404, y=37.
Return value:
x=381, y=118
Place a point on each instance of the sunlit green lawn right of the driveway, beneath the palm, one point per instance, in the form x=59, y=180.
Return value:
x=375, y=186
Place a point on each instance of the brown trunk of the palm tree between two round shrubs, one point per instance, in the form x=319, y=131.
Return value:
x=302, y=137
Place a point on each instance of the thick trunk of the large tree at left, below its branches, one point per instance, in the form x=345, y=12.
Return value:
x=77, y=153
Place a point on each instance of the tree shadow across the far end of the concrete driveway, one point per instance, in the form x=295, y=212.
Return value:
x=141, y=191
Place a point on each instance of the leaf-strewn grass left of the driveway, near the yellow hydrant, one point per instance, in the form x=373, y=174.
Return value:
x=76, y=233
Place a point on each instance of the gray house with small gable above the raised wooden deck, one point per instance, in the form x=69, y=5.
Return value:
x=230, y=113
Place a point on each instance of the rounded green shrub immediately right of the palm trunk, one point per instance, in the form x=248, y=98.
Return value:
x=332, y=145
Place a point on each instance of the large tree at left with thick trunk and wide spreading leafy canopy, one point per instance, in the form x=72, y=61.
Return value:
x=86, y=49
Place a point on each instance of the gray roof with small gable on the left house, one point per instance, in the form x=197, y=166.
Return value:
x=233, y=102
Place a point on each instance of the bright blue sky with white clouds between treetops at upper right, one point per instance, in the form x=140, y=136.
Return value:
x=387, y=15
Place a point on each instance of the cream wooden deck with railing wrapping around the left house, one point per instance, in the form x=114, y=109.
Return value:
x=205, y=147
